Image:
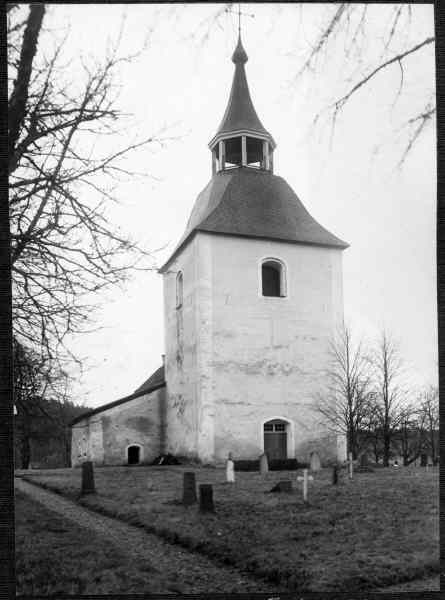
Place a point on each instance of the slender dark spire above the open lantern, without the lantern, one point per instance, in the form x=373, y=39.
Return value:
x=240, y=114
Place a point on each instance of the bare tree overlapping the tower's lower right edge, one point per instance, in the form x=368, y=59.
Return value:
x=344, y=403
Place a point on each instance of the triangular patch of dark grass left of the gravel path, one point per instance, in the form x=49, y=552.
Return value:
x=53, y=558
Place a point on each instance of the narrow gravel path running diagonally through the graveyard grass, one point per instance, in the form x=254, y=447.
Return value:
x=185, y=571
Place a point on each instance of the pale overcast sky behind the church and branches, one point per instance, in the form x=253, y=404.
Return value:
x=178, y=88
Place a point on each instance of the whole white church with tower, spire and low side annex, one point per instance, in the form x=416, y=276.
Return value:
x=252, y=297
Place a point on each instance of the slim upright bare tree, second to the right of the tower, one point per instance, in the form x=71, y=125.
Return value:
x=389, y=406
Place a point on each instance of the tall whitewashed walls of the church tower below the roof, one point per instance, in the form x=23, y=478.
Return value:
x=247, y=358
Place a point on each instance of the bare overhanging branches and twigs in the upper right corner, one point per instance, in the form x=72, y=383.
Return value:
x=348, y=26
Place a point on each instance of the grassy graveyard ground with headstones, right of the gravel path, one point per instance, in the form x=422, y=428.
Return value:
x=378, y=530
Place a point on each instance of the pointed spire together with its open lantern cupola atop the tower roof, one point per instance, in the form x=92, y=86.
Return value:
x=241, y=139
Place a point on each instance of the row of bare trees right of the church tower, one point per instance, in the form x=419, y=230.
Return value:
x=367, y=399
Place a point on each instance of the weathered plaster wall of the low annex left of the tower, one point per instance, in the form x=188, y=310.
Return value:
x=104, y=437
